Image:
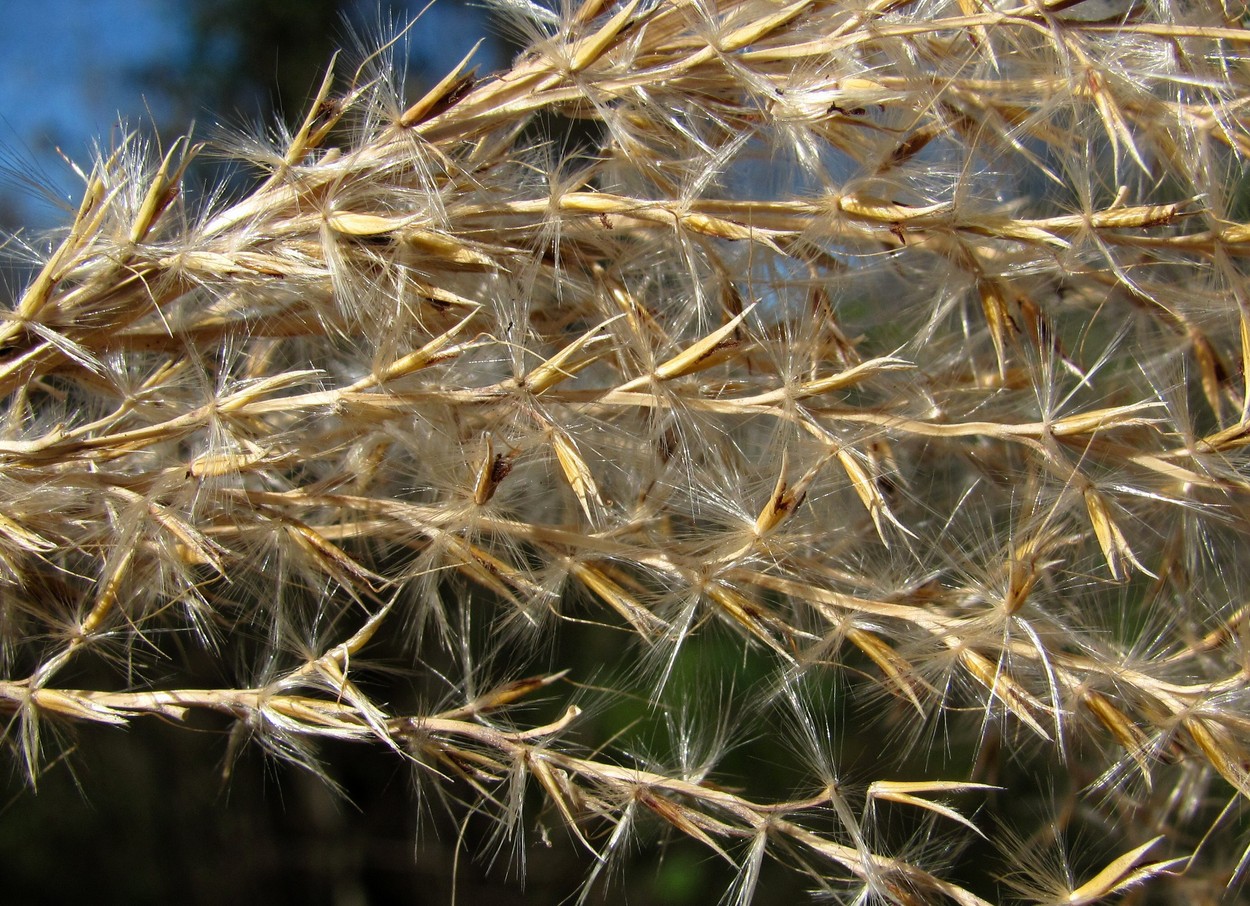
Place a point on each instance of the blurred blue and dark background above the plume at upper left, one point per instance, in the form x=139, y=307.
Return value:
x=72, y=71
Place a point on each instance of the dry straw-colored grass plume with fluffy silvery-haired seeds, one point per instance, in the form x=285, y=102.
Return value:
x=903, y=343
